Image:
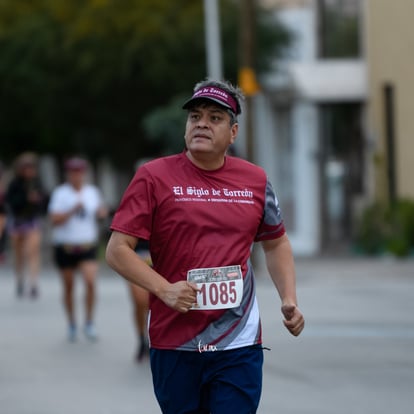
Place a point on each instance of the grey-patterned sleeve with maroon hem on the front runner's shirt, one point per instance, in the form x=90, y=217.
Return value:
x=271, y=226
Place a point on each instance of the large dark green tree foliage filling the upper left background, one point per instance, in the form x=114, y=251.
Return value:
x=82, y=75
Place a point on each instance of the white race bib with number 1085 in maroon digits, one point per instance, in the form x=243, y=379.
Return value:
x=220, y=287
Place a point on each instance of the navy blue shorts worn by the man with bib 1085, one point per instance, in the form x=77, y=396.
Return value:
x=219, y=382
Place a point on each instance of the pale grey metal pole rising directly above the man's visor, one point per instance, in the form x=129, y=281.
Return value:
x=212, y=40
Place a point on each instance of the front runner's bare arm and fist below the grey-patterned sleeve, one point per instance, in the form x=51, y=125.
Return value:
x=281, y=267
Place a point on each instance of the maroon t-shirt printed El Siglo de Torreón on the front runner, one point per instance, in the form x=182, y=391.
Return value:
x=194, y=219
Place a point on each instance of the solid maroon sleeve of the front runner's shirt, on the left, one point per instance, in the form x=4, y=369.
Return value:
x=135, y=212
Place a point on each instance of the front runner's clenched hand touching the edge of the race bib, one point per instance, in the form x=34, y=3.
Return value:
x=180, y=296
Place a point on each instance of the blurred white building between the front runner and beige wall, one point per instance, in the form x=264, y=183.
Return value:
x=309, y=123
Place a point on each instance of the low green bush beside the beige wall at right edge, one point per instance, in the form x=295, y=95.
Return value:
x=384, y=228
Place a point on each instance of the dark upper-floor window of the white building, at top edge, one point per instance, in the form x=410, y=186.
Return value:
x=339, y=28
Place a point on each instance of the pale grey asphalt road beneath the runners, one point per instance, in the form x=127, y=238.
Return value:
x=356, y=355
